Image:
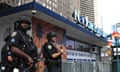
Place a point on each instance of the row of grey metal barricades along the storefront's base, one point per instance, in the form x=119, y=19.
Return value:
x=86, y=67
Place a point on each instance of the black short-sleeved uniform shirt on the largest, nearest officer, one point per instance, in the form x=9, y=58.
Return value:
x=24, y=42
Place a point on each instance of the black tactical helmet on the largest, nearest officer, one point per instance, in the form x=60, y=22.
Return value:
x=22, y=19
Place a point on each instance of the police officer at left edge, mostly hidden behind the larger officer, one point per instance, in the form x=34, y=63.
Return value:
x=6, y=57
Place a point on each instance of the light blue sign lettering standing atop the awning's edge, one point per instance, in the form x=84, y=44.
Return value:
x=83, y=21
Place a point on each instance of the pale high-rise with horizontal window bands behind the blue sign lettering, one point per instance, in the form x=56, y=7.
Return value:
x=92, y=9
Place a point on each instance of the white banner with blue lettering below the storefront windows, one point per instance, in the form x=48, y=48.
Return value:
x=80, y=56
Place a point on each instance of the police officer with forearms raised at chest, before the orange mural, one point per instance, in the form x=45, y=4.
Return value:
x=52, y=54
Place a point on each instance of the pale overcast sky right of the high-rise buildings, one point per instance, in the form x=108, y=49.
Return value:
x=110, y=14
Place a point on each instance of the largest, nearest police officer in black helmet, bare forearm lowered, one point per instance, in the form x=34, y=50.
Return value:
x=22, y=47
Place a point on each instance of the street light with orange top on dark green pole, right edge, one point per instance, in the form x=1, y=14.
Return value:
x=116, y=35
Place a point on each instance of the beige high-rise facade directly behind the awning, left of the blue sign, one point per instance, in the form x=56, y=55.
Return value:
x=63, y=7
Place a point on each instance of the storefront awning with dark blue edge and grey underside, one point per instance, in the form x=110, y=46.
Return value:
x=72, y=29
